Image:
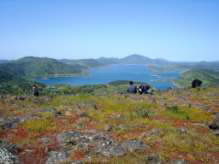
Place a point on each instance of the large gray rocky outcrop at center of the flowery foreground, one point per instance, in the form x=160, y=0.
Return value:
x=100, y=143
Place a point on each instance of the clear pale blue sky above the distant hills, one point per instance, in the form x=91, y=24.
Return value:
x=177, y=30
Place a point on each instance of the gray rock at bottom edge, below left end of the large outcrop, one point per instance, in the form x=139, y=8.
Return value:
x=56, y=157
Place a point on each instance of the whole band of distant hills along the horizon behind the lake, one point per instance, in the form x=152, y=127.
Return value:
x=33, y=67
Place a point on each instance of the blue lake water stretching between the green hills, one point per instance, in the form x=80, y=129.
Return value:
x=106, y=74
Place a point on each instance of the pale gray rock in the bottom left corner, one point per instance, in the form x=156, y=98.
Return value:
x=7, y=158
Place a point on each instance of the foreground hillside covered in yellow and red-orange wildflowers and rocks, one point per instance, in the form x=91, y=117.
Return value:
x=105, y=127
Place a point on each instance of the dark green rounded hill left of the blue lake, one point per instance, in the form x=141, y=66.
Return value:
x=32, y=67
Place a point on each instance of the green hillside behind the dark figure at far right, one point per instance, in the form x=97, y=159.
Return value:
x=209, y=77
